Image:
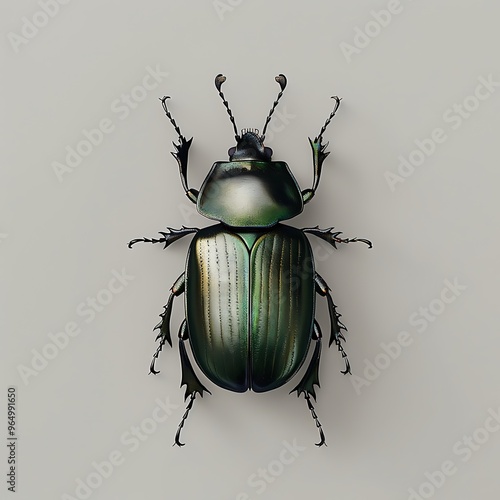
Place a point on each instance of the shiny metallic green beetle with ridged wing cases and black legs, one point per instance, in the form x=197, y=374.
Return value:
x=250, y=282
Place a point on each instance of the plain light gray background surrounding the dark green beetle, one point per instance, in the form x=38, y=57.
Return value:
x=61, y=240
